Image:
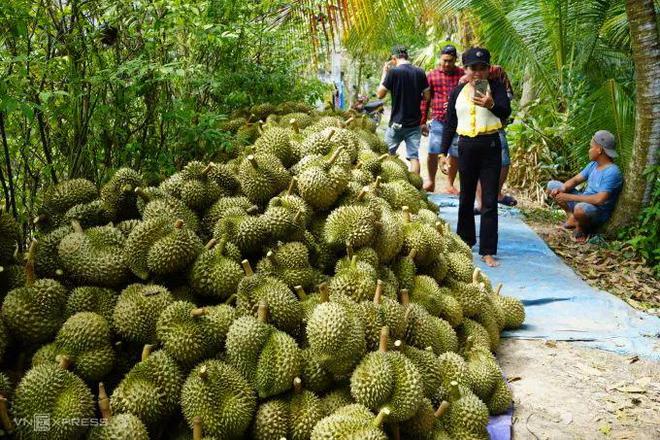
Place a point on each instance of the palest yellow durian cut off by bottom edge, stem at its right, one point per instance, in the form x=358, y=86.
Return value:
x=351, y=422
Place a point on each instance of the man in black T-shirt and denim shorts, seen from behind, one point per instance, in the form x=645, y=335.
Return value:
x=408, y=85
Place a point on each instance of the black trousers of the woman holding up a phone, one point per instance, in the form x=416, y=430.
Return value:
x=479, y=159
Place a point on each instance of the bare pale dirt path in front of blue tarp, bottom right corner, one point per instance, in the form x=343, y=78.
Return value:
x=565, y=391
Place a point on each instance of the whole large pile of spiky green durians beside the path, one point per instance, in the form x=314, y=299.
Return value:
x=305, y=288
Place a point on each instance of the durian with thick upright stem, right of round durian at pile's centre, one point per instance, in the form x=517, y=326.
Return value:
x=380, y=312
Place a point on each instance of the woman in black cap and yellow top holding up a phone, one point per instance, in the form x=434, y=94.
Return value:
x=475, y=112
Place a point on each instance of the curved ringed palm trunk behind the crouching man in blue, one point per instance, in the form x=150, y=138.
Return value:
x=646, y=55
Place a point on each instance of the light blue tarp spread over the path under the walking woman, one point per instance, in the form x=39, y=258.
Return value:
x=559, y=305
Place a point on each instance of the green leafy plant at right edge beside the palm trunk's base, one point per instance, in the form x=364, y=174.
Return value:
x=644, y=235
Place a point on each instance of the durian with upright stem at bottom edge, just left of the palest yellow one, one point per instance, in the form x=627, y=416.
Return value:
x=292, y=417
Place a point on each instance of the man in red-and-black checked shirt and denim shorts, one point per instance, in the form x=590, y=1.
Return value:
x=442, y=81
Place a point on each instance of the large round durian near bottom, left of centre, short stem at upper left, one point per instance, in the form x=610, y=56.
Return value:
x=221, y=397
